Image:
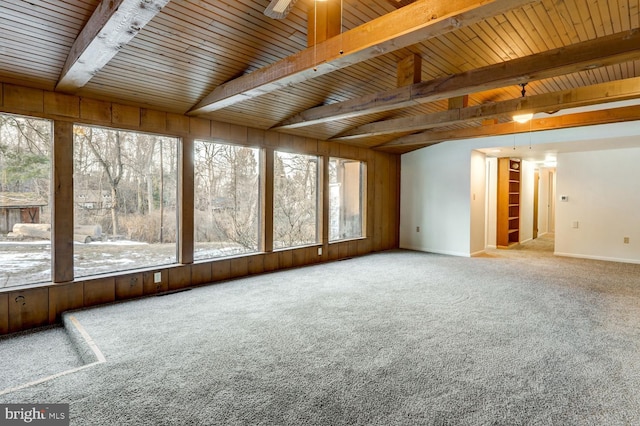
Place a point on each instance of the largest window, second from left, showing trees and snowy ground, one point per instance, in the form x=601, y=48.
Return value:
x=125, y=196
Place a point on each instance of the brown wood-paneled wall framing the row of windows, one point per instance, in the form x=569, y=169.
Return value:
x=32, y=306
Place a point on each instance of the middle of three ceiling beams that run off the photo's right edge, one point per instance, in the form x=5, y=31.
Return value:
x=590, y=95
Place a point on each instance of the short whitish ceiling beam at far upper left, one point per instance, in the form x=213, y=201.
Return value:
x=113, y=24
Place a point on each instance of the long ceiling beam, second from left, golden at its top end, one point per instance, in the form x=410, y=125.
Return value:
x=404, y=27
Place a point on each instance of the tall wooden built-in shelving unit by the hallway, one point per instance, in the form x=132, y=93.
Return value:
x=508, y=209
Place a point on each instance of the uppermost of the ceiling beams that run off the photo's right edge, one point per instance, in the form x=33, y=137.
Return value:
x=616, y=48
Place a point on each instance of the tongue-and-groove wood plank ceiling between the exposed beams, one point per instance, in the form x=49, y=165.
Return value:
x=191, y=47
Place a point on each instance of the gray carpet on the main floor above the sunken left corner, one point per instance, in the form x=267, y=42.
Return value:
x=513, y=337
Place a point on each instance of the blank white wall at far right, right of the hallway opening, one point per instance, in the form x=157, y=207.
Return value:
x=603, y=189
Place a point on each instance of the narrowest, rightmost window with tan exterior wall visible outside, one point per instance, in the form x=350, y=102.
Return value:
x=346, y=198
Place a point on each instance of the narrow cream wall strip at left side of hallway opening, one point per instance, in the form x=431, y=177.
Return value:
x=477, y=202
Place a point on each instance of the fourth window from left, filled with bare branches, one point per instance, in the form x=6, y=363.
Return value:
x=295, y=200
